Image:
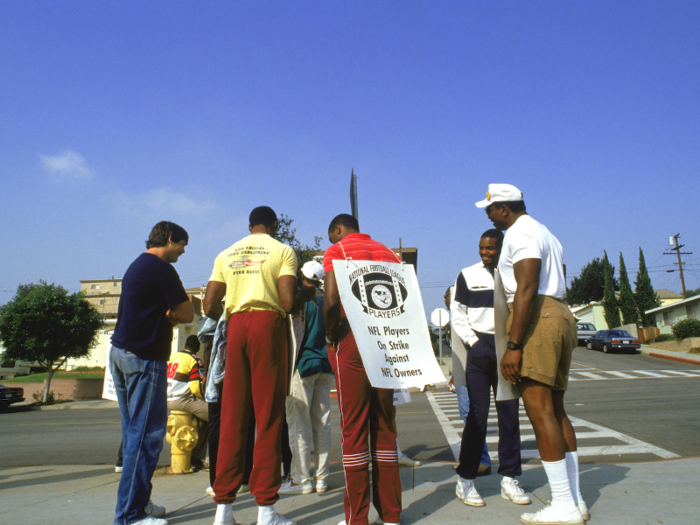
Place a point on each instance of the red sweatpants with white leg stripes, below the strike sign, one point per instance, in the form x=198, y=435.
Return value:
x=367, y=415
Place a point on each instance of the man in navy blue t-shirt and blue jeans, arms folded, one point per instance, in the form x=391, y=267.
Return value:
x=153, y=300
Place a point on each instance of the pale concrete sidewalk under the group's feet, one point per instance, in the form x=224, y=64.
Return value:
x=629, y=493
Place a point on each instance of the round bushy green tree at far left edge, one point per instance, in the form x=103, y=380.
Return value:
x=46, y=324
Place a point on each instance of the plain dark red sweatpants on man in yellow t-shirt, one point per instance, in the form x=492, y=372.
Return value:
x=256, y=379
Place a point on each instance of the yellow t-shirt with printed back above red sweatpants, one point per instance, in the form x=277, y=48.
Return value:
x=251, y=269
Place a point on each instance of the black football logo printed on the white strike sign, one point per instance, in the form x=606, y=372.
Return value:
x=381, y=291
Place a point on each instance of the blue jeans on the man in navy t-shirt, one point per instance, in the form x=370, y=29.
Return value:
x=141, y=386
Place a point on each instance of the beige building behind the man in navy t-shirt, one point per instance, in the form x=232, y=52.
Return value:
x=104, y=295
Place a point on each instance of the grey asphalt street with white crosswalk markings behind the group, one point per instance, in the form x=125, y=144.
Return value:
x=625, y=407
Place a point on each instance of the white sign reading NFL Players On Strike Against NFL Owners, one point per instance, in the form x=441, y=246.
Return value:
x=383, y=304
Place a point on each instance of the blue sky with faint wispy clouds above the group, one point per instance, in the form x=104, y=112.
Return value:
x=115, y=115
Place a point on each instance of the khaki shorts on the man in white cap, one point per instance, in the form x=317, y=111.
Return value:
x=549, y=340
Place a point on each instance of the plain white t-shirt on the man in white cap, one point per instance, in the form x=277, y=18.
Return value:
x=528, y=239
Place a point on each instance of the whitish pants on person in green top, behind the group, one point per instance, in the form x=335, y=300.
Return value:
x=309, y=421
